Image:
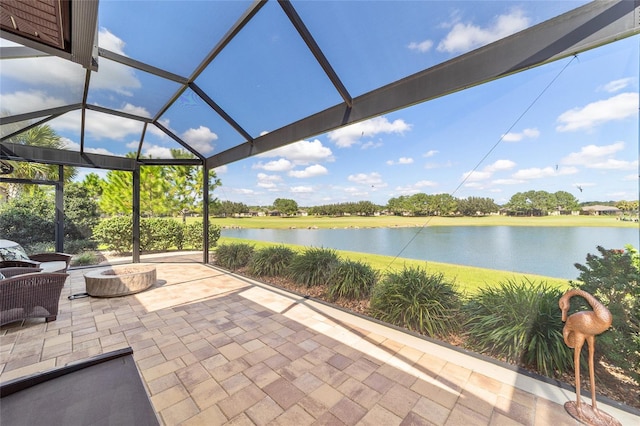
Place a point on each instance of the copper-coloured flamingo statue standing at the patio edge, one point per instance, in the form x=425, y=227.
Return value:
x=580, y=327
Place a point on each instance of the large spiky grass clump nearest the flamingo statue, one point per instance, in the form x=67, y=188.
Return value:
x=521, y=323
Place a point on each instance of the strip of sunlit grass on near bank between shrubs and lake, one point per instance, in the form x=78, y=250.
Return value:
x=469, y=279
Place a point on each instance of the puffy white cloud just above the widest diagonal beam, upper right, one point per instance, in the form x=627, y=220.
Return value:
x=465, y=37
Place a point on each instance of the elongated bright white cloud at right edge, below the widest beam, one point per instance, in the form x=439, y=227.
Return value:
x=618, y=107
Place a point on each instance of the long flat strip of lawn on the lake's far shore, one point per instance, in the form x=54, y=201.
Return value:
x=399, y=221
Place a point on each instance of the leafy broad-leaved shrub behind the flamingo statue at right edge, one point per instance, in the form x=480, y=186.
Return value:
x=613, y=277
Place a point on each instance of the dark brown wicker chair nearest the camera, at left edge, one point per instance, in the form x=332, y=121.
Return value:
x=33, y=295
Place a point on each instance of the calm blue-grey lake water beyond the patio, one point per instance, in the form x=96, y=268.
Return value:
x=550, y=251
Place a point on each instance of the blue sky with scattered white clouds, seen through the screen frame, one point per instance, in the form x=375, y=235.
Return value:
x=559, y=127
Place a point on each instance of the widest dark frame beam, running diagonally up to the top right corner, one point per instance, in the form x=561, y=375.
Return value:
x=586, y=27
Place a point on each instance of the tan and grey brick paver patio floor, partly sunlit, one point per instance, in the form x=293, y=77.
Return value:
x=215, y=348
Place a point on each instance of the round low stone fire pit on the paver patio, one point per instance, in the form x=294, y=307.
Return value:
x=120, y=280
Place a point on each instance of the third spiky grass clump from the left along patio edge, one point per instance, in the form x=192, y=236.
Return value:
x=314, y=266
